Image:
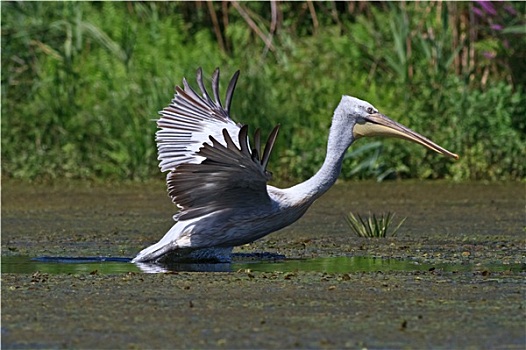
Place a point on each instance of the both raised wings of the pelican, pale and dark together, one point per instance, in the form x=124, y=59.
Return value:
x=212, y=166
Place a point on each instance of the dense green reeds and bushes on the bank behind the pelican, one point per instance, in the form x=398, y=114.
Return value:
x=82, y=81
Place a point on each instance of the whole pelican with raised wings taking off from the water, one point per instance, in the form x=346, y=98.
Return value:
x=218, y=180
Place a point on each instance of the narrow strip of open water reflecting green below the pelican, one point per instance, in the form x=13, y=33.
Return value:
x=342, y=264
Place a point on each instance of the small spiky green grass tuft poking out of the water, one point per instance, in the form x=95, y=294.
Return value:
x=373, y=226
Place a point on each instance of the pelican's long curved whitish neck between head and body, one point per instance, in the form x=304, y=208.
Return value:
x=339, y=141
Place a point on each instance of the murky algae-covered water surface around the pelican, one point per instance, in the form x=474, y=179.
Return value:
x=453, y=277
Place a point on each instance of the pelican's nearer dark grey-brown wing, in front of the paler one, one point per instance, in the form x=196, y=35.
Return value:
x=228, y=178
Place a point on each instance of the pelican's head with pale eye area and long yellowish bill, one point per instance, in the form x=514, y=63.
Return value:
x=367, y=121
